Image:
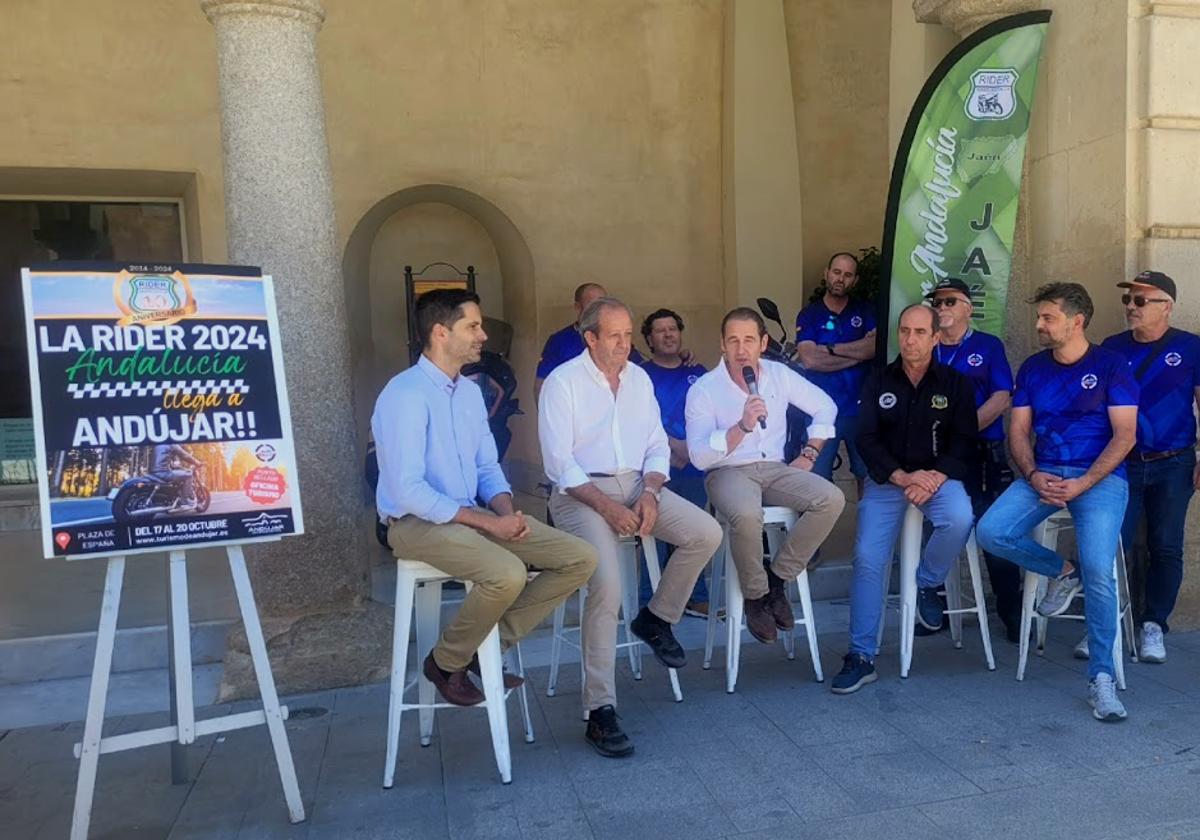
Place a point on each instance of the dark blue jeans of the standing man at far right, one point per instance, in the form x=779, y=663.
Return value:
x=1160, y=493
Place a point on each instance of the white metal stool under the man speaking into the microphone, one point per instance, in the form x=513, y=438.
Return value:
x=776, y=523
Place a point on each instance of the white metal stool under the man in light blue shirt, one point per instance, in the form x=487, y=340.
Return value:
x=421, y=585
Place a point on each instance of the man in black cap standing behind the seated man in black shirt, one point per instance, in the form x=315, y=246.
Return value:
x=981, y=358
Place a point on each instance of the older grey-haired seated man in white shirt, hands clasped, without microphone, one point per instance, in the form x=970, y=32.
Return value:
x=604, y=448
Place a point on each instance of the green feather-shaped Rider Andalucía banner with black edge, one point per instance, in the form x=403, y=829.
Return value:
x=957, y=179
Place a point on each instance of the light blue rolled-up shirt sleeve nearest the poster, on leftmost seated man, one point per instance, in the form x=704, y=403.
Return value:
x=400, y=425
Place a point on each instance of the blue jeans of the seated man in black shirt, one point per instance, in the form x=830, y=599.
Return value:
x=880, y=517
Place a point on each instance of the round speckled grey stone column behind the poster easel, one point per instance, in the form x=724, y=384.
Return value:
x=280, y=215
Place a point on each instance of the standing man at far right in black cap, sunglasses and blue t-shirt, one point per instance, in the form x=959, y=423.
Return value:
x=1162, y=469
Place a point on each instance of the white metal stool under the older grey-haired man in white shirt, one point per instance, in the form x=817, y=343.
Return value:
x=629, y=551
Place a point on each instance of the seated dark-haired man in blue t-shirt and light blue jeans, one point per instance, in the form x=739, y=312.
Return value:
x=1082, y=403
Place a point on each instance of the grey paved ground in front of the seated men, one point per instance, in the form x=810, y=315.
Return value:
x=955, y=752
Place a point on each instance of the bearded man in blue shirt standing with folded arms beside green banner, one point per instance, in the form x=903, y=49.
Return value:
x=836, y=340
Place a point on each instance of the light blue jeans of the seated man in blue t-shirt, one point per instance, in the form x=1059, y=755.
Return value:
x=1097, y=514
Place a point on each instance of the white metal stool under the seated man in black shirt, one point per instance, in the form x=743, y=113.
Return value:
x=911, y=535
